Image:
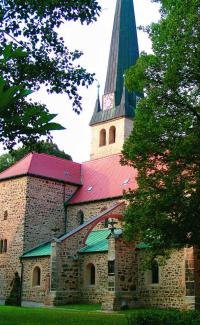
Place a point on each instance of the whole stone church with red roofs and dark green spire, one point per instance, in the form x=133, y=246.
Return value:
x=61, y=222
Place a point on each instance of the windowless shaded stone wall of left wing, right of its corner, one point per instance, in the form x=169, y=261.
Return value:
x=45, y=212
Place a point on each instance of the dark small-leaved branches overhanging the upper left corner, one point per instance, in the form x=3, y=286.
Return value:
x=36, y=28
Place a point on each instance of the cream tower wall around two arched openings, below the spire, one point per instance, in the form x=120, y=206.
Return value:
x=123, y=129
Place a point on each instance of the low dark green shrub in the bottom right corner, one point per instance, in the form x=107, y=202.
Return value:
x=163, y=317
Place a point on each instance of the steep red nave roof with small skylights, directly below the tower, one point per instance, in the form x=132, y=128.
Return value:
x=104, y=178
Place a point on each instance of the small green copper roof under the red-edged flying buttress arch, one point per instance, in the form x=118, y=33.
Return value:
x=97, y=241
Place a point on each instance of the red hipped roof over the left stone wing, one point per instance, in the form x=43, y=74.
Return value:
x=47, y=166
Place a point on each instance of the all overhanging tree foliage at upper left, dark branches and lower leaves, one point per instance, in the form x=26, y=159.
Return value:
x=35, y=29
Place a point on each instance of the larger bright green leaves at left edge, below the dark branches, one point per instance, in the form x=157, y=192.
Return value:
x=20, y=120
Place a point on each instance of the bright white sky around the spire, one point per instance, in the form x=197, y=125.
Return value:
x=94, y=41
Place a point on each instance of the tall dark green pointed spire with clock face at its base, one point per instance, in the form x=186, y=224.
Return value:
x=117, y=102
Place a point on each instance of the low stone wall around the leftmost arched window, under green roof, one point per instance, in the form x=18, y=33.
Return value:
x=31, y=292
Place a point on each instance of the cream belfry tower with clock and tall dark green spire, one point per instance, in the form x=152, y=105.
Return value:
x=112, y=121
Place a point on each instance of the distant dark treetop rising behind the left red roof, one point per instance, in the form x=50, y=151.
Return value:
x=8, y=159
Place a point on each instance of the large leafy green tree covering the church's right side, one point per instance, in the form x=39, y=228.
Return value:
x=165, y=143
